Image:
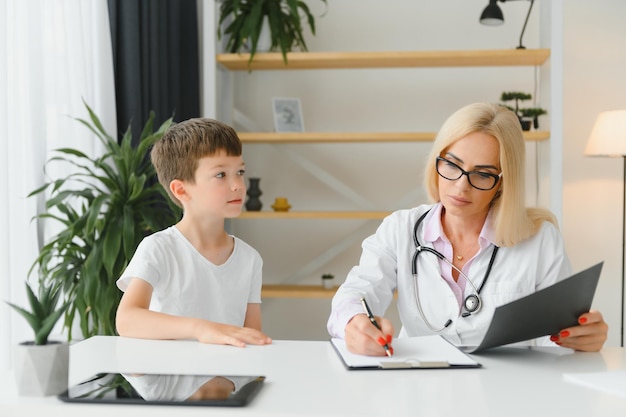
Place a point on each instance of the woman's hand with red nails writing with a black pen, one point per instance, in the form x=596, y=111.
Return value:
x=363, y=338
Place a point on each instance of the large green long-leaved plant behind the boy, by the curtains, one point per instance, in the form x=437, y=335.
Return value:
x=104, y=209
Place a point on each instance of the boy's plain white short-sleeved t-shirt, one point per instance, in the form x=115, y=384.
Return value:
x=187, y=284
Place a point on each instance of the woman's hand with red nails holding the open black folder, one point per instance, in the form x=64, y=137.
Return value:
x=588, y=336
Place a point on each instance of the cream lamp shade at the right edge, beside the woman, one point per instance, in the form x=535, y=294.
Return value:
x=608, y=136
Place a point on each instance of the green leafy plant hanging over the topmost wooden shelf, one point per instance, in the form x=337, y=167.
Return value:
x=284, y=18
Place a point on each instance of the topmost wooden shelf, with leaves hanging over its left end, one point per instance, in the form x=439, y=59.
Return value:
x=391, y=59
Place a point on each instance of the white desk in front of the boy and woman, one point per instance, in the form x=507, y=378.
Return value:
x=308, y=379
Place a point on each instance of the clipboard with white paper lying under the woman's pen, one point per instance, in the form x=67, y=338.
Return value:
x=424, y=352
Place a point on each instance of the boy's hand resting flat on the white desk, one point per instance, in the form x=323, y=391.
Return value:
x=225, y=334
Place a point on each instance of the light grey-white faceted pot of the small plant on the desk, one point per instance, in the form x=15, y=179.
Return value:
x=41, y=370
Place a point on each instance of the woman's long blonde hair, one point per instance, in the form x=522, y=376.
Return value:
x=514, y=222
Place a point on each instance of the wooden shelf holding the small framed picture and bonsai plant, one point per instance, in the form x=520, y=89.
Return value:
x=358, y=137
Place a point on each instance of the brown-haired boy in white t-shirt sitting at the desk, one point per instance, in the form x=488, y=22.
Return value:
x=193, y=280
